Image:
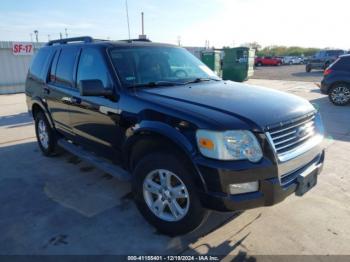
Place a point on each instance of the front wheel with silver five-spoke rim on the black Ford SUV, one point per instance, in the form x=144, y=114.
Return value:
x=165, y=194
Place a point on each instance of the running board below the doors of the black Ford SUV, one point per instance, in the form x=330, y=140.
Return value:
x=98, y=162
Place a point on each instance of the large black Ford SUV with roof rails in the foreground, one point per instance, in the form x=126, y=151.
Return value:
x=187, y=140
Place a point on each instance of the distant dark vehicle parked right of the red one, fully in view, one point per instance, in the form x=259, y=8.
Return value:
x=323, y=59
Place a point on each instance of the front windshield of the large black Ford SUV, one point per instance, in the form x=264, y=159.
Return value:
x=137, y=66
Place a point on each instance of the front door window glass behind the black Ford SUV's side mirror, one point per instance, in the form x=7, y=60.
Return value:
x=92, y=66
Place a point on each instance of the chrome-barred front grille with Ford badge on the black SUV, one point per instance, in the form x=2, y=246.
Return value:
x=290, y=135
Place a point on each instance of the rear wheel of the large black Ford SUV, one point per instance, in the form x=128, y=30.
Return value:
x=44, y=134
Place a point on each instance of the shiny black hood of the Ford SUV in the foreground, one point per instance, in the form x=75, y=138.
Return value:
x=260, y=105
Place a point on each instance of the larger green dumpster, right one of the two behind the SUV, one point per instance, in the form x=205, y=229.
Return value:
x=238, y=63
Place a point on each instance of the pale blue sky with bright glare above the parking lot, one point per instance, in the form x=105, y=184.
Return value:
x=321, y=23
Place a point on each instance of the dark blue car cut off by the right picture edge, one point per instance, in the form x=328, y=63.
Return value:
x=336, y=81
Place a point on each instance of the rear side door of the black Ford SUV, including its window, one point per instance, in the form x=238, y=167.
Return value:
x=60, y=87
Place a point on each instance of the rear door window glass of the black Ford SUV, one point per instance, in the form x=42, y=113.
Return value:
x=65, y=66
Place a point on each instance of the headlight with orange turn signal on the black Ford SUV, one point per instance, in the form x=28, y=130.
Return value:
x=229, y=145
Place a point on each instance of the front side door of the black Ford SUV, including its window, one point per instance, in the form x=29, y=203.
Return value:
x=95, y=119
